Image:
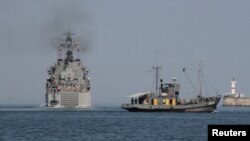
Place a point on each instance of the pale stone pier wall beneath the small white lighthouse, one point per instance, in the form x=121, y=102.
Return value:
x=235, y=101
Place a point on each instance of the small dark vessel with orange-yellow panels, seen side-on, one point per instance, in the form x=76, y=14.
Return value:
x=166, y=98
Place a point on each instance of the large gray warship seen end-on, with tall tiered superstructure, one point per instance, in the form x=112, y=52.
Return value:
x=68, y=83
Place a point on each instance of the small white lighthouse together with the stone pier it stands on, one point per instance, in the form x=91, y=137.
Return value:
x=234, y=98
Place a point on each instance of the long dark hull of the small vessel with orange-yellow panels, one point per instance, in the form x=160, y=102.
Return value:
x=203, y=107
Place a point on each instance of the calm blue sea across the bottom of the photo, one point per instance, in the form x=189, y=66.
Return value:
x=32, y=123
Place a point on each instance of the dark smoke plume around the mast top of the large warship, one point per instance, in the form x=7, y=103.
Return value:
x=71, y=18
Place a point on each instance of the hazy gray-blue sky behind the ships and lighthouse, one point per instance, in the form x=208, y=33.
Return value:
x=123, y=40
